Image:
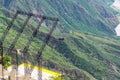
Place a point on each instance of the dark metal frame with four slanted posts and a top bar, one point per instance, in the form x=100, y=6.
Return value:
x=25, y=50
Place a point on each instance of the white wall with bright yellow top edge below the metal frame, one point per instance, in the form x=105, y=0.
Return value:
x=45, y=73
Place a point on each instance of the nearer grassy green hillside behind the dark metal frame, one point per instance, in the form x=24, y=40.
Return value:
x=84, y=52
